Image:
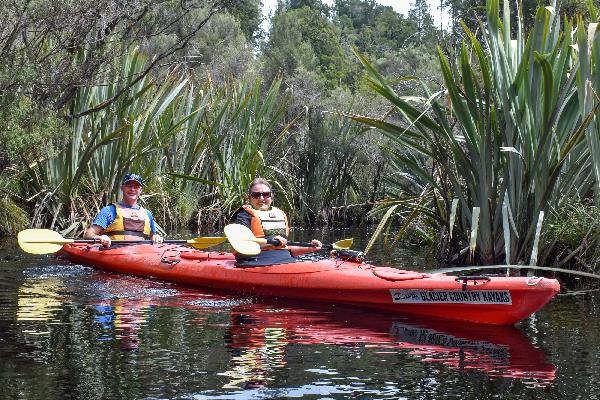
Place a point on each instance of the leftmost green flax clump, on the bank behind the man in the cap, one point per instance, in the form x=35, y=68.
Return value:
x=103, y=146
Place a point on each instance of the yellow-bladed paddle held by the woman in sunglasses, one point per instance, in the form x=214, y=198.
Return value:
x=244, y=242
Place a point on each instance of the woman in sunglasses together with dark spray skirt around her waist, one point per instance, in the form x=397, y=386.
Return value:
x=266, y=221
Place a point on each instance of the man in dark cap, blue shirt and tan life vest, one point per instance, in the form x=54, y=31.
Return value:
x=125, y=220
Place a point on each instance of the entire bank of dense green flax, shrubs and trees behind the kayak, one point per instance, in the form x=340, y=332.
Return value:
x=467, y=135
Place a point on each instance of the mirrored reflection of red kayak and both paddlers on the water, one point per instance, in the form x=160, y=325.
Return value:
x=259, y=333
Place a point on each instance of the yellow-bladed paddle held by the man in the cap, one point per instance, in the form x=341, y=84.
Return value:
x=46, y=241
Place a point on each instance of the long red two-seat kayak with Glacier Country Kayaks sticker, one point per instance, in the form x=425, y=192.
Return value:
x=480, y=299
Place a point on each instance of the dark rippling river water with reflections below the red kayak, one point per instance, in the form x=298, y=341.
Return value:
x=70, y=332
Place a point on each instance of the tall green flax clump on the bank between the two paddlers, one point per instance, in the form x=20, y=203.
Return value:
x=234, y=136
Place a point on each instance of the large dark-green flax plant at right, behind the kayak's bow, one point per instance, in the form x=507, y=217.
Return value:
x=508, y=125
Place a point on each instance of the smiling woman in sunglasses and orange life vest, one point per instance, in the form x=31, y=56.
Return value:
x=266, y=221
